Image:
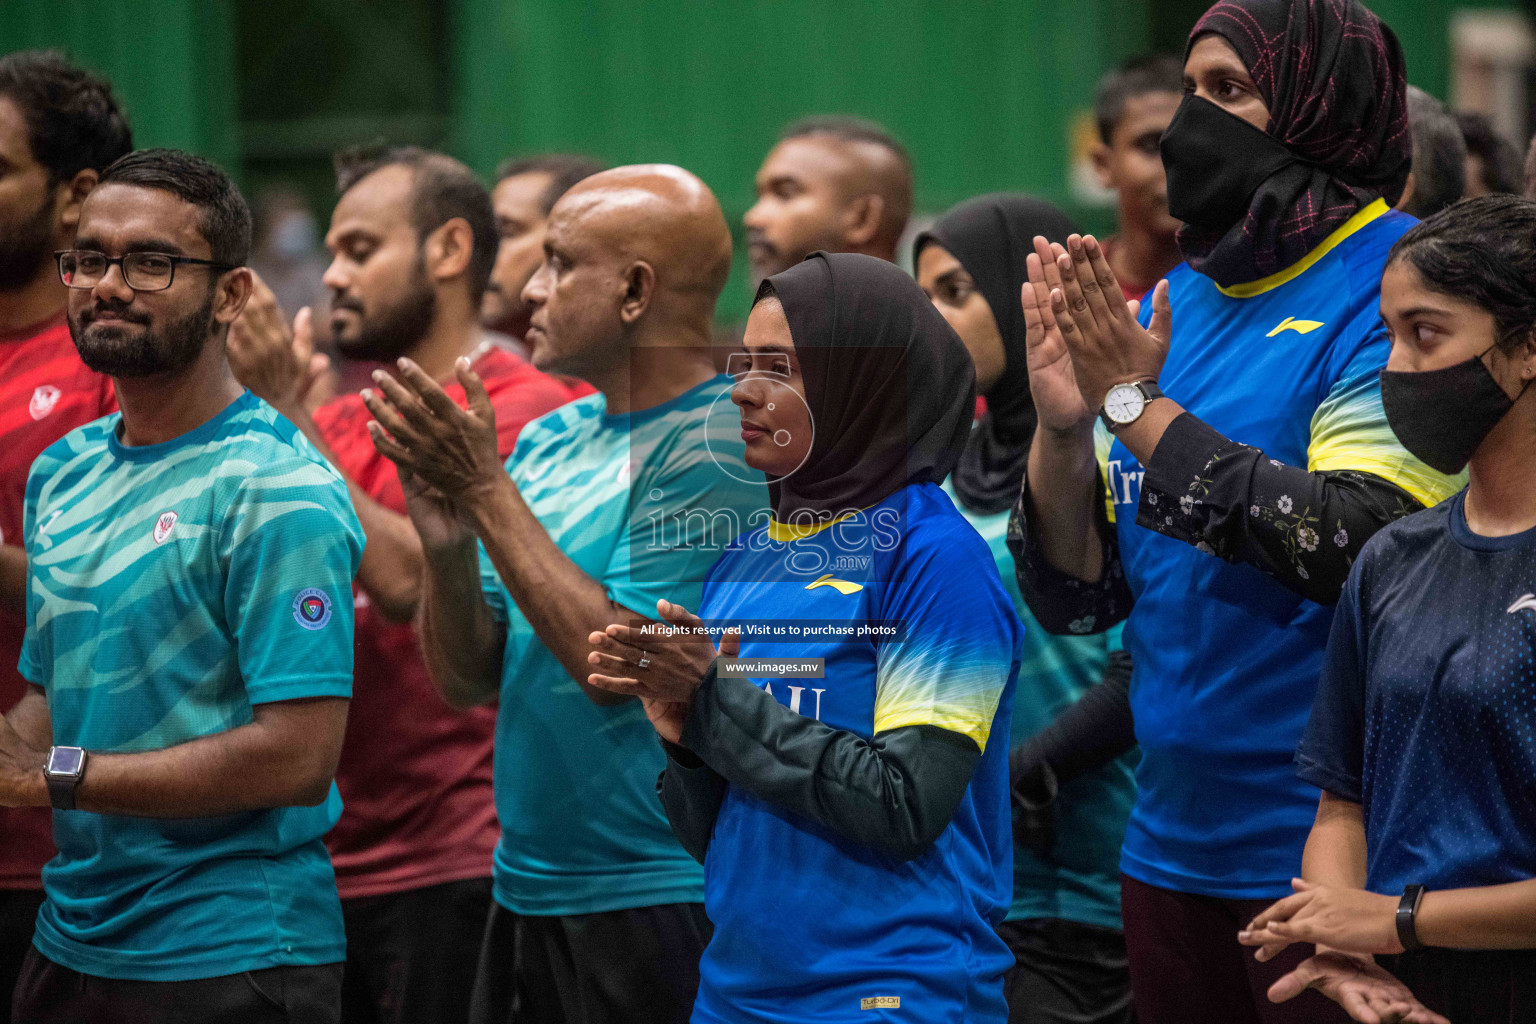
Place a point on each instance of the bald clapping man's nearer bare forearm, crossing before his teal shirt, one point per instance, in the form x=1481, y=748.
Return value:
x=558, y=600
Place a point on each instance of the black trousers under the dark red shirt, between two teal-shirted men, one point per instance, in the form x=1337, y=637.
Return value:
x=411, y=956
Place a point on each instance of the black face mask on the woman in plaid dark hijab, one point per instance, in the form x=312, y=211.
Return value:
x=1216, y=162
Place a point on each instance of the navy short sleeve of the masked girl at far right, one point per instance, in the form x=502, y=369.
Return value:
x=1332, y=747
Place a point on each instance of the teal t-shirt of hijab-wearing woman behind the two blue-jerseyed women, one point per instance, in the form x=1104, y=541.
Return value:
x=1081, y=879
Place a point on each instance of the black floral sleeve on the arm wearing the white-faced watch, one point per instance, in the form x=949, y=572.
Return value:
x=1236, y=503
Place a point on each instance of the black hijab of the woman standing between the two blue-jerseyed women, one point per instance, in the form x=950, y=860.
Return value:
x=991, y=236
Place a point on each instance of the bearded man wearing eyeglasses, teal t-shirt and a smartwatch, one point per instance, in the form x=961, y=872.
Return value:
x=188, y=644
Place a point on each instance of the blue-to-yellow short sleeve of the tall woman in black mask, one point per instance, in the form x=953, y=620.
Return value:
x=1349, y=428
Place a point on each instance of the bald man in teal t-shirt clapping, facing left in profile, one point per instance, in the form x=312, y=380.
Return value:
x=607, y=506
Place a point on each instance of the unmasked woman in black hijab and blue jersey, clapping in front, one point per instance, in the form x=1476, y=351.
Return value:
x=853, y=816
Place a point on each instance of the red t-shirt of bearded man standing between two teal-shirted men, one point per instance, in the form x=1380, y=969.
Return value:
x=415, y=775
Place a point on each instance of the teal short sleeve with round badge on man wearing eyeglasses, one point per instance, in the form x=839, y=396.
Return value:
x=293, y=547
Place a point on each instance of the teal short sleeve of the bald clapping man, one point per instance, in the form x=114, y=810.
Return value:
x=701, y=510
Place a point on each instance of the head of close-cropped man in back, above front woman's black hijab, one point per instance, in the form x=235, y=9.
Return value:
x=835, y=183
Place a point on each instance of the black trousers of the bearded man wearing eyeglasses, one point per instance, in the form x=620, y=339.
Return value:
x=50, y=994
